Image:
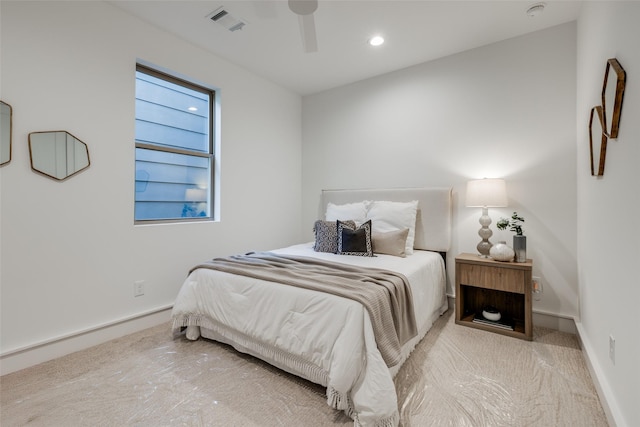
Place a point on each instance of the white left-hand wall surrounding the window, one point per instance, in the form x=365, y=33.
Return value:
x=70, y=250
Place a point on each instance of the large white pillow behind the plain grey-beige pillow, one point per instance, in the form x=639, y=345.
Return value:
x=390, y=216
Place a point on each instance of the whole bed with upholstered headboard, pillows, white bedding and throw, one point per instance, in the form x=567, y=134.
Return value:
x=325, y=337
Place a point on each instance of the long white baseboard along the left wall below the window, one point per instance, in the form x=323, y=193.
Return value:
x=24, y=357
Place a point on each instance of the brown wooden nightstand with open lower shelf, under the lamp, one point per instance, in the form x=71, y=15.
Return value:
x=482, y=282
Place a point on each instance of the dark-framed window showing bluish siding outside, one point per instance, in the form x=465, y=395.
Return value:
x=174, y=148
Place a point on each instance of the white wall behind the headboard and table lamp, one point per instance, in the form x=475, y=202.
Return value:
x=503, y=110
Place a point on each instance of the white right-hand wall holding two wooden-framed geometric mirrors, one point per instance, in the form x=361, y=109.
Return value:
x=609, y=207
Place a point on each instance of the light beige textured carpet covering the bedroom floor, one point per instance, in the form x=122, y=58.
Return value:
x=457, y=376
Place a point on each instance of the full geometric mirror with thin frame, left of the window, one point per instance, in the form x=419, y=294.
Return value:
x=57, y=154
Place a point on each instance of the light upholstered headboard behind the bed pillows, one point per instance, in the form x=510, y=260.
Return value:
x=433, y=222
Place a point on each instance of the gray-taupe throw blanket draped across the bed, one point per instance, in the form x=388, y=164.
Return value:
x=386, y=295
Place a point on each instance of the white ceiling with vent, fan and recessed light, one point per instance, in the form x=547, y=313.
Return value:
x=270, y=43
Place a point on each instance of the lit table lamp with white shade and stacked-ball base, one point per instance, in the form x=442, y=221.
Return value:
x=486, y=193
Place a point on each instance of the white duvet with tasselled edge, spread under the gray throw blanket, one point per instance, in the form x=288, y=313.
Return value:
x=321, y=337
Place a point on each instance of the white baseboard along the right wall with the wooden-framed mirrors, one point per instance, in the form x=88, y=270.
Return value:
x=607, y=400
